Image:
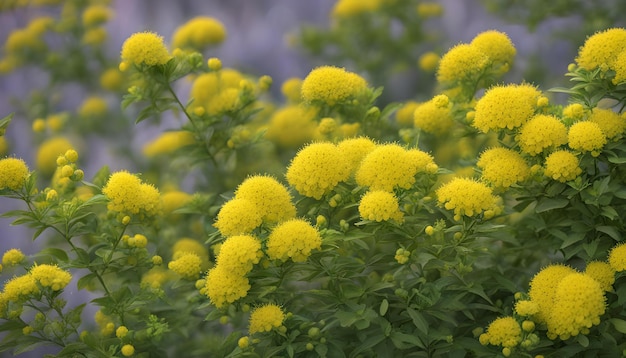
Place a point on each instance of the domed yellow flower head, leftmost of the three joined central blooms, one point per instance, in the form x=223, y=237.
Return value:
x=317, y=169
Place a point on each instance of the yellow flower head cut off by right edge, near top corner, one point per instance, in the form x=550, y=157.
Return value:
x=601, y=49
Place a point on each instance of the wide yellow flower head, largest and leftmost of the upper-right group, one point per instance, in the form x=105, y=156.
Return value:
x=507, y=106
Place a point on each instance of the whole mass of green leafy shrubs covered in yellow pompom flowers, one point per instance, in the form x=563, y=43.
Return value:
x=480, y=219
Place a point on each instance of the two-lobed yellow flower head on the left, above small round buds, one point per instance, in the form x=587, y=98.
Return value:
x=129, y=196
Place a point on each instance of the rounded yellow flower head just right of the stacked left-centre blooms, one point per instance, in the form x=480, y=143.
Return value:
x=294, y=239
